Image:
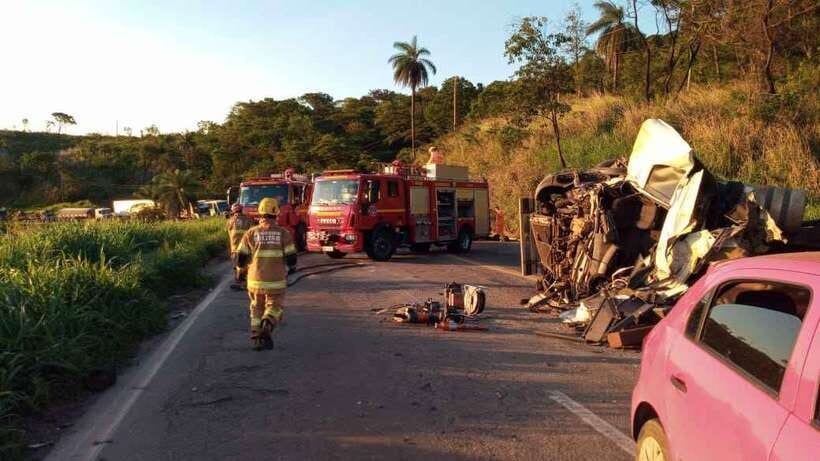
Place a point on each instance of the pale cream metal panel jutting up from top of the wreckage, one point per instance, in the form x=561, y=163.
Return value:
x=660, y=159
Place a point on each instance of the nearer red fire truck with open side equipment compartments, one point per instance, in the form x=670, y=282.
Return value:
x=378, y=212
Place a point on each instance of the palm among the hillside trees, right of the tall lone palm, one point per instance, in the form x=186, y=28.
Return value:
x=615, y=36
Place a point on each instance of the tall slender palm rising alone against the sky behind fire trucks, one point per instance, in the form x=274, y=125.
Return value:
x=410, y=68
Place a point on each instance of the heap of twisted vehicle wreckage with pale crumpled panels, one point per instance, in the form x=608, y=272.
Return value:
x=617, y=244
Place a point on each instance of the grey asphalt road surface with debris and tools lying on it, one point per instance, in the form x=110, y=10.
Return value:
x=346, y=383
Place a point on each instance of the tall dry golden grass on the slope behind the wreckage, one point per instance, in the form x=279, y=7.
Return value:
x=721, y=124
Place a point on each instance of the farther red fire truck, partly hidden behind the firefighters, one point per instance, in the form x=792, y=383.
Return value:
x=290, y=189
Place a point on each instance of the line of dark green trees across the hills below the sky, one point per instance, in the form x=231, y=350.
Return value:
x=769, y=45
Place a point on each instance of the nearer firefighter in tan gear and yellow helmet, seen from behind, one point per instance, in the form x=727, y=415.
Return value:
x=270, y=254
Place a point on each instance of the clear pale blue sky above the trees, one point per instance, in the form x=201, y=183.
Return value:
x=173, y=63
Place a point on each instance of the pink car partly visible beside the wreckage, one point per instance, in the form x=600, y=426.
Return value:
x=733, y=372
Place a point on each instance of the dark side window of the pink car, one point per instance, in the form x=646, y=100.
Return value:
x=754, y=325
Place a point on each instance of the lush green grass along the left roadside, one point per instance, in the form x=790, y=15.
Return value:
x=77, y=297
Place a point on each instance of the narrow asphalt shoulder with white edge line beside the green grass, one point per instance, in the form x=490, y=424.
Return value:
x=87, y=443
